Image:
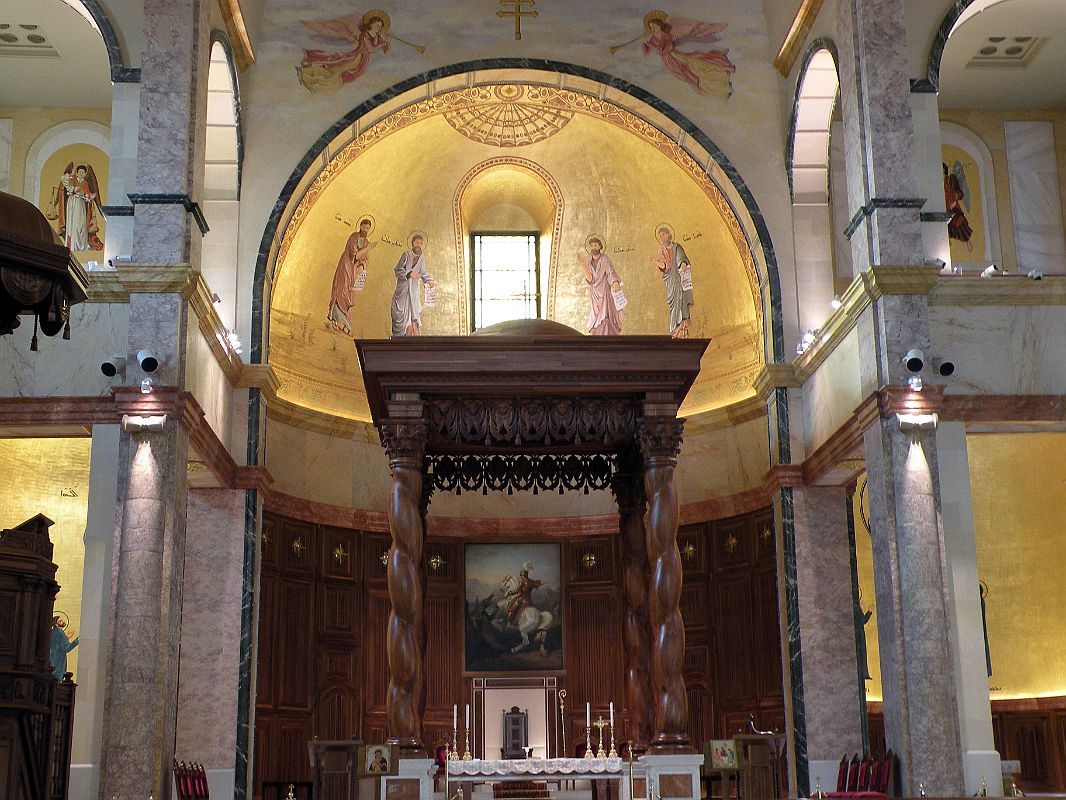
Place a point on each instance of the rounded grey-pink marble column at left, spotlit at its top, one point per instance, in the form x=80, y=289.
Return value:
x=139, y=725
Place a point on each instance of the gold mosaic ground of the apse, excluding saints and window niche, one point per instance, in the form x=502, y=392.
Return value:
x=622, y=178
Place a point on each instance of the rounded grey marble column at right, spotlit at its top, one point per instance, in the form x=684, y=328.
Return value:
x=912, y=589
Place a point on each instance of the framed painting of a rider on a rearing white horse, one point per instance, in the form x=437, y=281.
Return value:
x=513, y=609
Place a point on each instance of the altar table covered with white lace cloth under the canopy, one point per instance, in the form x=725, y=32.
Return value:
x=479, y=771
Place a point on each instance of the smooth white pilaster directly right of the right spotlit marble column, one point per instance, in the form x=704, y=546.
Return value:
x=981, y=762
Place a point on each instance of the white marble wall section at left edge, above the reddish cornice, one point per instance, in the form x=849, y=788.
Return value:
x=63, y=367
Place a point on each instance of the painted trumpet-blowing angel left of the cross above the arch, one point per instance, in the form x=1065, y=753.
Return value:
x=322, y=71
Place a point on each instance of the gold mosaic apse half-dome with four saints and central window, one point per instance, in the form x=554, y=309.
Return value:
x=503, y=202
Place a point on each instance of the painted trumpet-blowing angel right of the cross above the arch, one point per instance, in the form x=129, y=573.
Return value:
x=709, y=72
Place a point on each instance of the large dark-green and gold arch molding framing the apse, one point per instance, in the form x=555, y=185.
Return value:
x=651, y=111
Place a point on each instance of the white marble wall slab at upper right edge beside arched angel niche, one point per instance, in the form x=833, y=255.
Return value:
x=1035, y=197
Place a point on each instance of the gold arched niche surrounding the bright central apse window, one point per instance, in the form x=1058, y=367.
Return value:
x=506, y=195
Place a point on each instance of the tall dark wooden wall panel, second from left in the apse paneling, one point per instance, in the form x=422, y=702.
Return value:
x=295, y=646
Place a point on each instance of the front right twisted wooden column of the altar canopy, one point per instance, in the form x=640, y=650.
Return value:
x=661, y=442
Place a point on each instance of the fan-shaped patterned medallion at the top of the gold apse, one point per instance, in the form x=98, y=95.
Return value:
x=509, y=116
